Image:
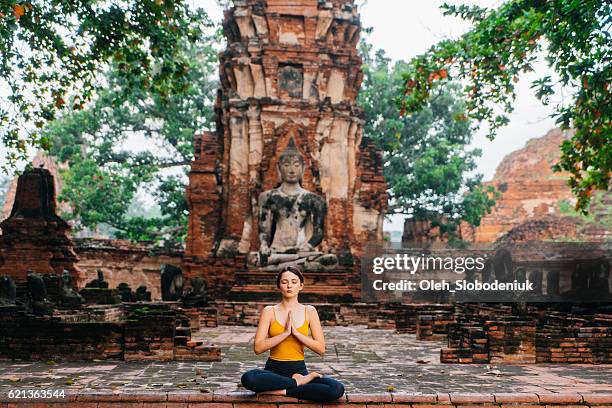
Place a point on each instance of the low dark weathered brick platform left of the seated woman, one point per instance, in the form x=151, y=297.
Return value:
x=128, y=331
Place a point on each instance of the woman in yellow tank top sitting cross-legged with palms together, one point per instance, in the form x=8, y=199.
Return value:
x=283, y=329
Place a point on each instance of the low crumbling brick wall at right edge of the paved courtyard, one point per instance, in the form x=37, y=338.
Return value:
x=553, y=333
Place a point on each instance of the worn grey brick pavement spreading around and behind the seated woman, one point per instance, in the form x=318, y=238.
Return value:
x=369, y=362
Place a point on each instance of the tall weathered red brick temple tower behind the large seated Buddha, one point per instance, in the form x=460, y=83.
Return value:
x=291, y=70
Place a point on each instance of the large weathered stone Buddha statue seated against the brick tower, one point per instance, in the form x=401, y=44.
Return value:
x=291, y=220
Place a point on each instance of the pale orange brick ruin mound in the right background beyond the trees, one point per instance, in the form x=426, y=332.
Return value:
x=534, y=195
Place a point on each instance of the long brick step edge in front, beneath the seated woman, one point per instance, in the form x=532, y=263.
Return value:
x=581, y=398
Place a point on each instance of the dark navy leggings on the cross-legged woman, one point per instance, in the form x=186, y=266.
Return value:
x=276, y=375
